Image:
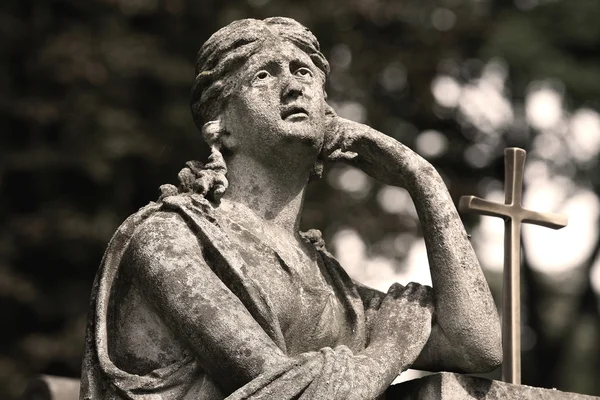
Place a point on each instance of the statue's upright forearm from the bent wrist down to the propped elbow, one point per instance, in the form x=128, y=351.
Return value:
x=465, y=310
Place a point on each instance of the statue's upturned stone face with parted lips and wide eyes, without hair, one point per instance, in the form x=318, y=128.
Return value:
x=278, y=104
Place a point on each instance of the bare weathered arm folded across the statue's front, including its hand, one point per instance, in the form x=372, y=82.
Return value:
x=168, y=265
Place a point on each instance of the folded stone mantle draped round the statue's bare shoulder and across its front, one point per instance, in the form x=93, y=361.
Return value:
x=318, y=374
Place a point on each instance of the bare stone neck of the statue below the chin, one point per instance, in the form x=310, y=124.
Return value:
x=274, y=195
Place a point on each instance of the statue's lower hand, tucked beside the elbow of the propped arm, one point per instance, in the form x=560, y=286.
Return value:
x=404, y=320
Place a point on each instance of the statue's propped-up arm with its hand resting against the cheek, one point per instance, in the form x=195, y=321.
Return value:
x=466, y=333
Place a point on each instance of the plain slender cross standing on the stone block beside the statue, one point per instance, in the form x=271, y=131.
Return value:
x=514, y=215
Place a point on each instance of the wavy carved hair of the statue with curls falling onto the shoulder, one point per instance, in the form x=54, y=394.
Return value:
x=219, y=58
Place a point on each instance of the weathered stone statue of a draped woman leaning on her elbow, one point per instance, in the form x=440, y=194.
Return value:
x=212, y=292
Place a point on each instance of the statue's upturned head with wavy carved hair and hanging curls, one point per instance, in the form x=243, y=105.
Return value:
x=259, y=86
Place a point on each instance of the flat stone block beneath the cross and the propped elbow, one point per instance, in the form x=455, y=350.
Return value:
x=449, y=386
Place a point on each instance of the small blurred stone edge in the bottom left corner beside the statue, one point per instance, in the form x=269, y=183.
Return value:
x=47, y=387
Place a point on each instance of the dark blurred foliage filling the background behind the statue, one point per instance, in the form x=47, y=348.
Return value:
x=94, y=112
